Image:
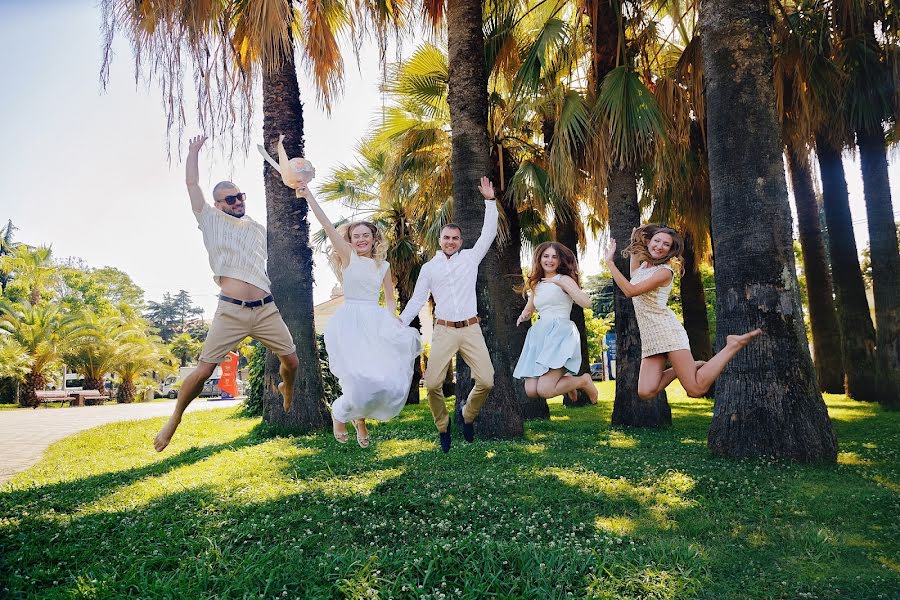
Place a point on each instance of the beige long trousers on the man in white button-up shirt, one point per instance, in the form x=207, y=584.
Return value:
x=445, y=342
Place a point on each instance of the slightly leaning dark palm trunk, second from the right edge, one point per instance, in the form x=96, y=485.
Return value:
x=854, y=320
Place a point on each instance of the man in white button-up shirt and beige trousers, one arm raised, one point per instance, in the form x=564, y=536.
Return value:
x=450, y=277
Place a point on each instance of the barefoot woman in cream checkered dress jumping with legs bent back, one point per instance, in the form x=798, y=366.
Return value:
x=652, y=251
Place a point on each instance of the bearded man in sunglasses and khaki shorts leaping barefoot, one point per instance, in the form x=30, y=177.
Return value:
x=237, y=254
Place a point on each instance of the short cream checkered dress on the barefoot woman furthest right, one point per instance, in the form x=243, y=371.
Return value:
x=661, y=331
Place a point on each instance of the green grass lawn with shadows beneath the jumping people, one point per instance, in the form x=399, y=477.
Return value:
x=576, y=509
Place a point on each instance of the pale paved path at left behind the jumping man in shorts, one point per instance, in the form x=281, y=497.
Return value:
x=26, y=433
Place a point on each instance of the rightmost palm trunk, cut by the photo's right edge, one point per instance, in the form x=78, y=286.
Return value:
x=885, y=264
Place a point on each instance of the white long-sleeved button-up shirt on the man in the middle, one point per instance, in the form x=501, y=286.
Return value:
x=452, y=280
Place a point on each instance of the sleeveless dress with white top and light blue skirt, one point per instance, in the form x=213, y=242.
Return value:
x=553, y=341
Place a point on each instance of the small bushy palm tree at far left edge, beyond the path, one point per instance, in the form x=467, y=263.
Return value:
x=42, y=332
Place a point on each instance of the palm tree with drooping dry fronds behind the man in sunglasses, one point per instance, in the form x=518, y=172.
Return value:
x=230, y=44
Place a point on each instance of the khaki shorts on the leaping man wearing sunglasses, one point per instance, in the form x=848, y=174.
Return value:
x=232, y=323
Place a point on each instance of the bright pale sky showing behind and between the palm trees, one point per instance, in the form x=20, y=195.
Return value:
x=86, y=170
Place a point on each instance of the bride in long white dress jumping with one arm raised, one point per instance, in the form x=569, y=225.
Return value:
x=369, y=350
